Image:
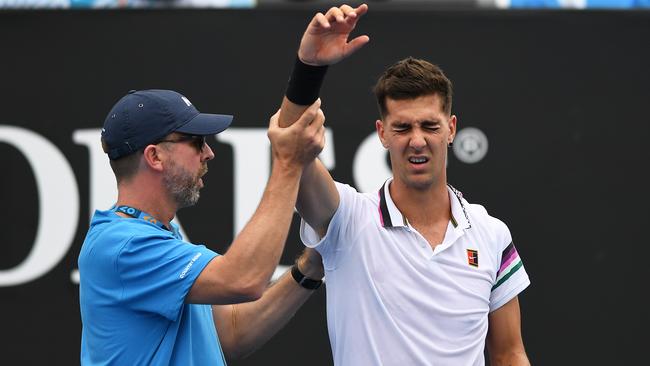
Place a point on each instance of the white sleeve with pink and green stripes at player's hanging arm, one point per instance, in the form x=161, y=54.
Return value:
x=511, y=277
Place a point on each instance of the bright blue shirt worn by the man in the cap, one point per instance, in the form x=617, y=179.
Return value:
x=134, y=277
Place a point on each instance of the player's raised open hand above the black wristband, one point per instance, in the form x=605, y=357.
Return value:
x=325, y=42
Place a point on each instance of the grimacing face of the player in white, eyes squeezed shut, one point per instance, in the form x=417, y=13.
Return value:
x=416, y=133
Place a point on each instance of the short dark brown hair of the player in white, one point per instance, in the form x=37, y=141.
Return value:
x=411, y=78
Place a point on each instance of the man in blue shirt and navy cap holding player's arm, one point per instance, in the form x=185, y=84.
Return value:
x=148, y=297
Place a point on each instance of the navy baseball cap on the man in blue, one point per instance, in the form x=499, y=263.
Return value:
x=145, y=116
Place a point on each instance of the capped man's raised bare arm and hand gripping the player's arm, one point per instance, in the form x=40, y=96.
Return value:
x=243, y=272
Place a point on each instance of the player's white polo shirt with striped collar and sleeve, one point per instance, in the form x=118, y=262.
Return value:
x=392, y=300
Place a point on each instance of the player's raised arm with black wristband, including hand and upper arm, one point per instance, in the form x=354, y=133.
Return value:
x=325, y=42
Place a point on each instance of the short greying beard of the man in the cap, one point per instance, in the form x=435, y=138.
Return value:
x=183, y=186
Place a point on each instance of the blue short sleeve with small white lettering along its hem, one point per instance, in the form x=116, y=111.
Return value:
x=157, y=272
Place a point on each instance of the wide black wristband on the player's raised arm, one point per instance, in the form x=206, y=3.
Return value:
x=305, y=82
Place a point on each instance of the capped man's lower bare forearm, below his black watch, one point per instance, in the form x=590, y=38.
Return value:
x=251, y=325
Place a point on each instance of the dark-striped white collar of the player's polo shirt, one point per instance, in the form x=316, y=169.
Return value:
x=390, y=215
